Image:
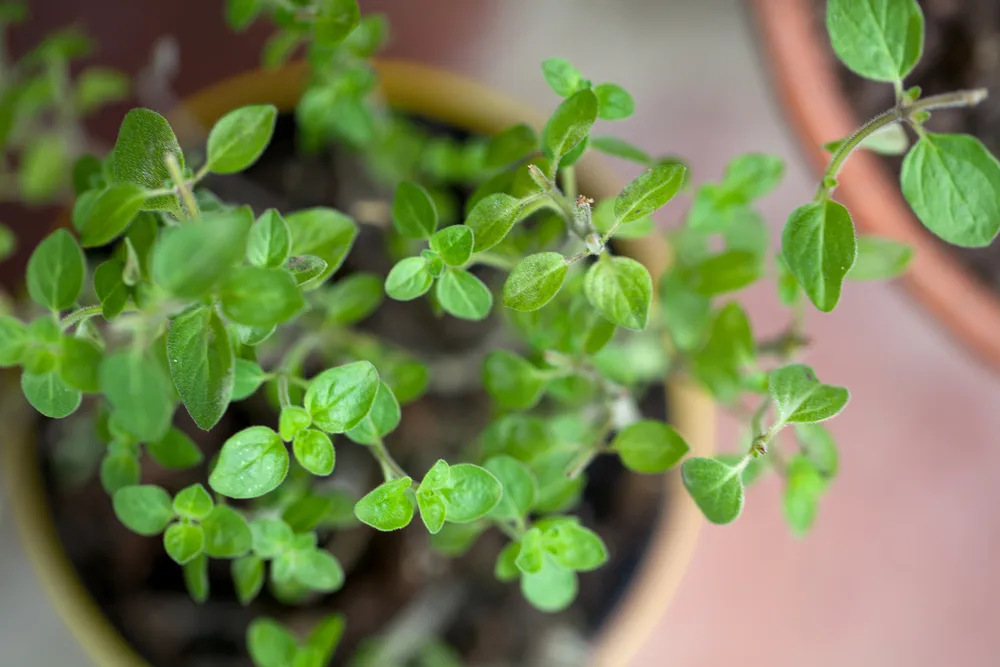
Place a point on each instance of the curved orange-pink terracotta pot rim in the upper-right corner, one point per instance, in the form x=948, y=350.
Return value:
x=804, y=72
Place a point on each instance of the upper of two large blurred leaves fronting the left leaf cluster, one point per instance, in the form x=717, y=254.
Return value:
x=189, y=260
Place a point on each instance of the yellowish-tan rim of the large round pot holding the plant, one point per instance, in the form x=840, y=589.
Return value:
x=463, y=104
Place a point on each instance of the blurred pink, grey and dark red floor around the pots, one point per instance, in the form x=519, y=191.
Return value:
x=900, y=567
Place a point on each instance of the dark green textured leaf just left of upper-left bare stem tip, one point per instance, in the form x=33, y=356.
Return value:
x=144, y=140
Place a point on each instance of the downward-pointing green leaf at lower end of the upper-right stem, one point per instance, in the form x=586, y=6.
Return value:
x=819, y=246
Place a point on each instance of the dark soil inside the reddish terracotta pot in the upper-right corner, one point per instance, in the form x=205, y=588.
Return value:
x=961, y=50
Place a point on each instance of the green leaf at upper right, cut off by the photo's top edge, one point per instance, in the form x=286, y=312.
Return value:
x=878, y=39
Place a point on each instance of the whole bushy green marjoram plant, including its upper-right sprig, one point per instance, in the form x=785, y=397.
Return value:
x=201, y=303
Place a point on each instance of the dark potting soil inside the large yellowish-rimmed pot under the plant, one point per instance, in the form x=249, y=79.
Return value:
x=389, y=576
